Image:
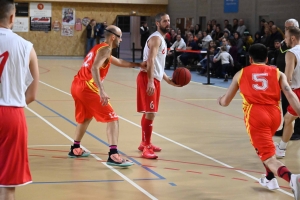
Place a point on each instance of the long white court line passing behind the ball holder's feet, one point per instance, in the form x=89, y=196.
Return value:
x=188, y=148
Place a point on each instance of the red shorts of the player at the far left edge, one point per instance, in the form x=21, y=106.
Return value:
x=14, y=166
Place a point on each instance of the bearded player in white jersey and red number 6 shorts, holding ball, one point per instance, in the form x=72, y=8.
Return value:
x=148, y=82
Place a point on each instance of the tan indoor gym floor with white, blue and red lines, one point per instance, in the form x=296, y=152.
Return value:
x=206, y=151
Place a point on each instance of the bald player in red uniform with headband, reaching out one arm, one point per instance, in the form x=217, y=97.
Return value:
x=92, y=101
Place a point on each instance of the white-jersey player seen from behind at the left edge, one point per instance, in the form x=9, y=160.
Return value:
x=19, y=76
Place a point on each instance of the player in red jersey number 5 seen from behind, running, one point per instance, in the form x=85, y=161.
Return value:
x=259, y=86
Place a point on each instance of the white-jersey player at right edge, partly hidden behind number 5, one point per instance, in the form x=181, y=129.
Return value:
x=292, y=72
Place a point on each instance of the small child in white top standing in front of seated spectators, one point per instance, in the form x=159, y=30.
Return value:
x=226, y=61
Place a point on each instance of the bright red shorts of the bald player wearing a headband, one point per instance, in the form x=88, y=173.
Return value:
x=88, y=105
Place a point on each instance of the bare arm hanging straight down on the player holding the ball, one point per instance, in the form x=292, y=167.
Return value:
x=153, y=45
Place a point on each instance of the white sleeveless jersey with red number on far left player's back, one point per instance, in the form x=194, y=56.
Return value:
x=15, y=76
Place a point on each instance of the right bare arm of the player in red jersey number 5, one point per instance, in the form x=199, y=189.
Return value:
x=290, y=95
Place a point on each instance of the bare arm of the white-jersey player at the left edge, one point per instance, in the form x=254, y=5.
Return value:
x=31, y=91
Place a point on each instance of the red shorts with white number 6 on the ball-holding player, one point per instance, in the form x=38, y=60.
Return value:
x=146, y=103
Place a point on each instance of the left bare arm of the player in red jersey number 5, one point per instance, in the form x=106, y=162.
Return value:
x=233, y=88
